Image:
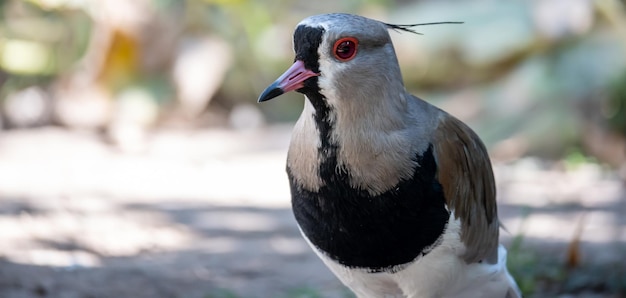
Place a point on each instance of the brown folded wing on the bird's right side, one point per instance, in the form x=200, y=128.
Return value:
x=465, y=173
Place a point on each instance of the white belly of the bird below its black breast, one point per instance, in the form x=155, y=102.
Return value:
x=440, y=273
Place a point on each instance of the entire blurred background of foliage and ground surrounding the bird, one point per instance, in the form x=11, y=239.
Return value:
x=135, y=162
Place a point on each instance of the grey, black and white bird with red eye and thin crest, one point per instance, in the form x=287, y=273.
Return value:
x=396, y=196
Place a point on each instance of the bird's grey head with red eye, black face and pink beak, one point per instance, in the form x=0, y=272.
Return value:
x=340, y=57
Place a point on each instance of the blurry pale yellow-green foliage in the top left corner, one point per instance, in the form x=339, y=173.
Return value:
x=37, y=42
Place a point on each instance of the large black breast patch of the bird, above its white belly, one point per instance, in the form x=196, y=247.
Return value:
x=379, y=232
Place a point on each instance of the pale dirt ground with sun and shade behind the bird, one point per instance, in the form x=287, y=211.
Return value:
x=206, y=214
